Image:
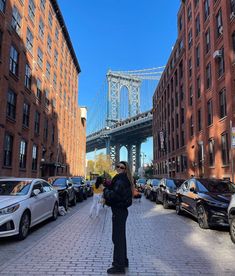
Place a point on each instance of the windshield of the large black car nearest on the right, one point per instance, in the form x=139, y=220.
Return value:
x=215, y=186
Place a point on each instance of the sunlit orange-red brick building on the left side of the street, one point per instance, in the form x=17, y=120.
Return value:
x=42, y=129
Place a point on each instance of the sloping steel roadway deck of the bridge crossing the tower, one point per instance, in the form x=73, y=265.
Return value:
x=123, y=132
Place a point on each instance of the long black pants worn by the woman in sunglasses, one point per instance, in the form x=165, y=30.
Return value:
x=119, y=237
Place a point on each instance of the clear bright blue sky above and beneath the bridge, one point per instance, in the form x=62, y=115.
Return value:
x=119, y=35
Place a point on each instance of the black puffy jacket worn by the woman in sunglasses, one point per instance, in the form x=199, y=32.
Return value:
x=119, y=193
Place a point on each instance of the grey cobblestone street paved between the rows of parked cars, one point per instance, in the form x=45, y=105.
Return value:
x=159, y=243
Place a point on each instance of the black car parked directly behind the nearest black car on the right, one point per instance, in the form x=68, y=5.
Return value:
x=166, y=191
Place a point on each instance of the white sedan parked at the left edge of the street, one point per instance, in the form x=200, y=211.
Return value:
x=25, y=202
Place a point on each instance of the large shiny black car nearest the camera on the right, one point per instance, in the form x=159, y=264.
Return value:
x=206, y=199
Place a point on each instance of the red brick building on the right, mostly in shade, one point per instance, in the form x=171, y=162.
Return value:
x=195, y=98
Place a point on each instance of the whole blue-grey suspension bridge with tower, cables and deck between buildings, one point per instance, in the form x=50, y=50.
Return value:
x=121, y=114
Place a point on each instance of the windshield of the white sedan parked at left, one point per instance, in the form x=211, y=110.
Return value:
x=14, y=188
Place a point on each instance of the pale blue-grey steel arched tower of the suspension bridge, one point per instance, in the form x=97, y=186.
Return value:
x=116, y=81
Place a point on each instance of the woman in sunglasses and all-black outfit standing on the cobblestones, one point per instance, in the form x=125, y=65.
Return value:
x=119, y=196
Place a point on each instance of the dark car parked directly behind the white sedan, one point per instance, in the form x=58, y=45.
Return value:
x=65, y=188
